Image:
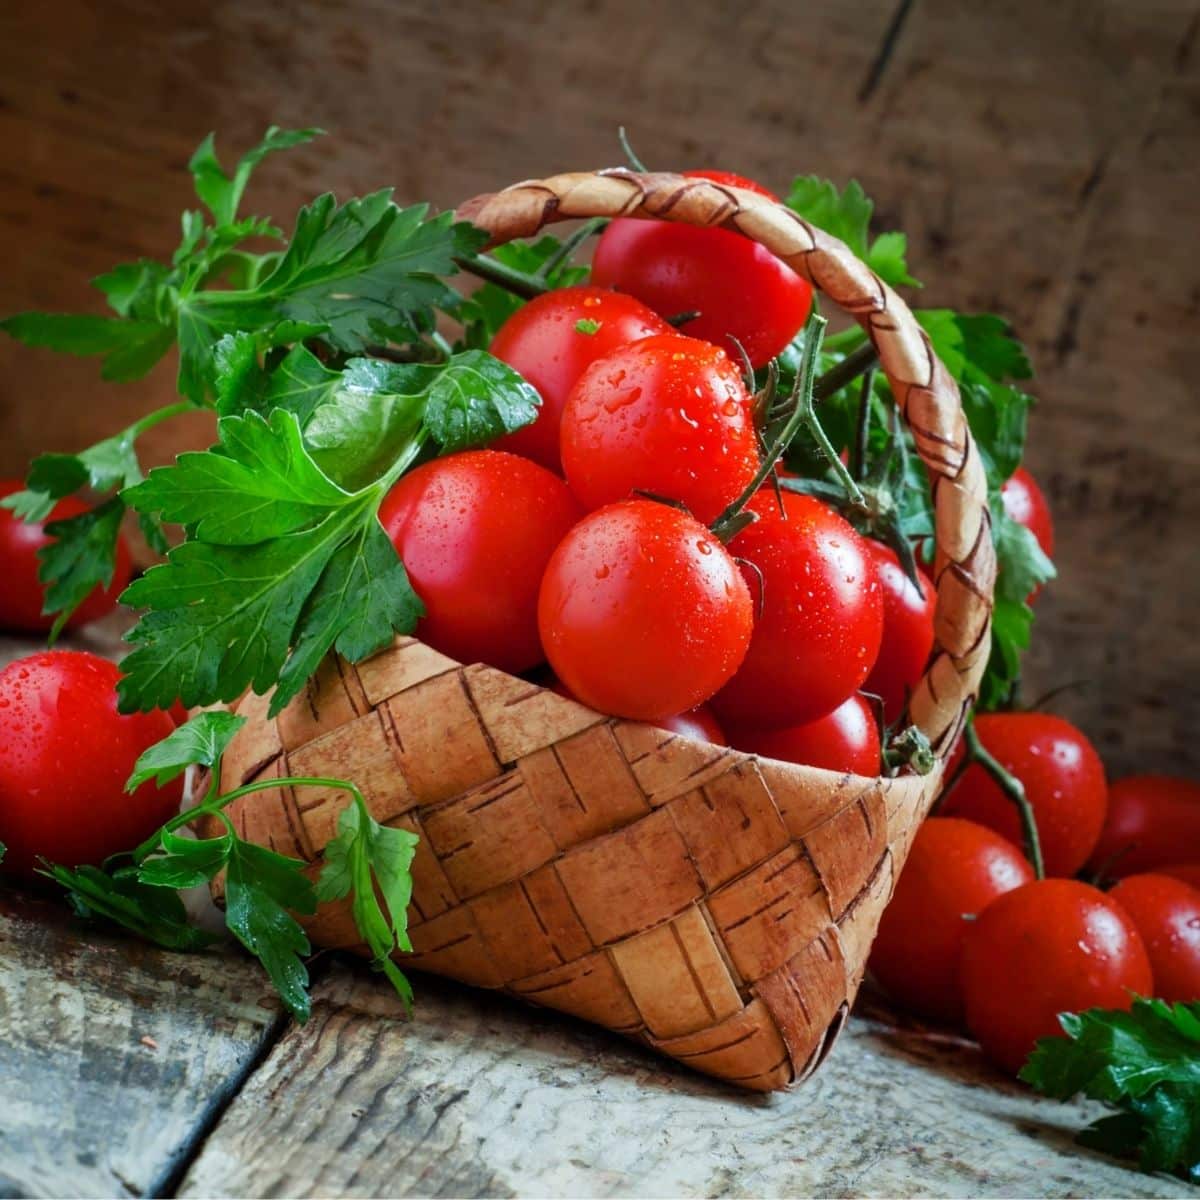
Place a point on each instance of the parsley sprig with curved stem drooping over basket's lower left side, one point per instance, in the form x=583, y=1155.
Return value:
x=263, y=891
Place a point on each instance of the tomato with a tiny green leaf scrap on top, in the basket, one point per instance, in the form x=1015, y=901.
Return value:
x=544, y=341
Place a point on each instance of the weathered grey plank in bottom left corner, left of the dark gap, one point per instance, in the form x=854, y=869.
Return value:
x=115, y=1057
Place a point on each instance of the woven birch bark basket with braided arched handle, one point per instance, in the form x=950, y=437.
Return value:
x=711, y=904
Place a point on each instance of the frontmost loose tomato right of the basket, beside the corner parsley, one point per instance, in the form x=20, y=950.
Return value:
x=1051, y=947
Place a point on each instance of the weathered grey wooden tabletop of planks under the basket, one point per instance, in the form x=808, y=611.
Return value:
x=131, y=1071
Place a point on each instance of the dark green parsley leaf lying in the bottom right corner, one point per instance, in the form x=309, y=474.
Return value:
x=1144, y=1063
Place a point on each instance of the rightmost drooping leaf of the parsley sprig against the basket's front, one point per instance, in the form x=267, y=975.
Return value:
x=374, y=863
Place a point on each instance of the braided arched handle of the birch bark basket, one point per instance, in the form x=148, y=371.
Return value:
x=965, y=561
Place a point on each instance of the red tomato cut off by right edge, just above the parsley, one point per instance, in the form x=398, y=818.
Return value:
x=1167, y=914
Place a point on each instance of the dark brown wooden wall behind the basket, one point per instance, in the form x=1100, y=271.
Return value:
x=1041, y=157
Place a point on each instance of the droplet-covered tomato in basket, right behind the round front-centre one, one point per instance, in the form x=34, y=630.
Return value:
x=820, y=621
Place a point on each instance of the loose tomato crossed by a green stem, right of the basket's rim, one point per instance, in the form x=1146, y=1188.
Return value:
x=1064, y=782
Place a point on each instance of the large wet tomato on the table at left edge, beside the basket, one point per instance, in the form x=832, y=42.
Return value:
x=65, y=755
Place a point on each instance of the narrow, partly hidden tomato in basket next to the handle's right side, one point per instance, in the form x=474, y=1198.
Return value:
x=908, y=631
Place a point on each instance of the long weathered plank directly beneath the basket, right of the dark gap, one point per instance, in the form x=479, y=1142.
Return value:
x=481, y=1097
